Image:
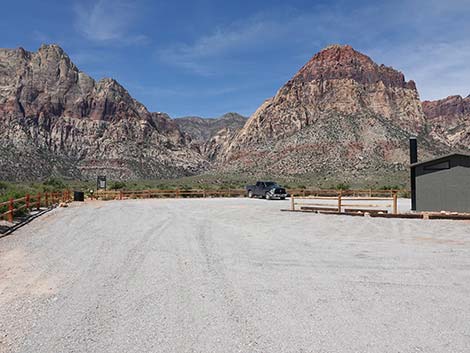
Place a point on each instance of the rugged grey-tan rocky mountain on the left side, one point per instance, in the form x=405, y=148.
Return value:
x=55, y=119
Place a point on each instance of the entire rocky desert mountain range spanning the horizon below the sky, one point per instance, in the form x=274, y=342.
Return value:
x=342, y=117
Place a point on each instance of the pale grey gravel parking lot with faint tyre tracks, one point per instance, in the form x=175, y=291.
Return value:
x=232, y=275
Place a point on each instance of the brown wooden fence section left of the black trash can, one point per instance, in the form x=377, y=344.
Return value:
x=30, y=202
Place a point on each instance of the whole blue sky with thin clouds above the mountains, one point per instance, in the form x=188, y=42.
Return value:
x=207, y=57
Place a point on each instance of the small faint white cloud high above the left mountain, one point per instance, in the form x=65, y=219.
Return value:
x=108, y=21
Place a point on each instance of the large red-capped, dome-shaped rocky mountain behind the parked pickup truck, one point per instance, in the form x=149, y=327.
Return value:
x=340, y=116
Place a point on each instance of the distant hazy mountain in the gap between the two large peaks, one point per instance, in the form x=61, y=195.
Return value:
x=211, y=136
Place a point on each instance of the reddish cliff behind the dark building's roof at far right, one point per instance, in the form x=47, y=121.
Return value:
x=449, y=121
